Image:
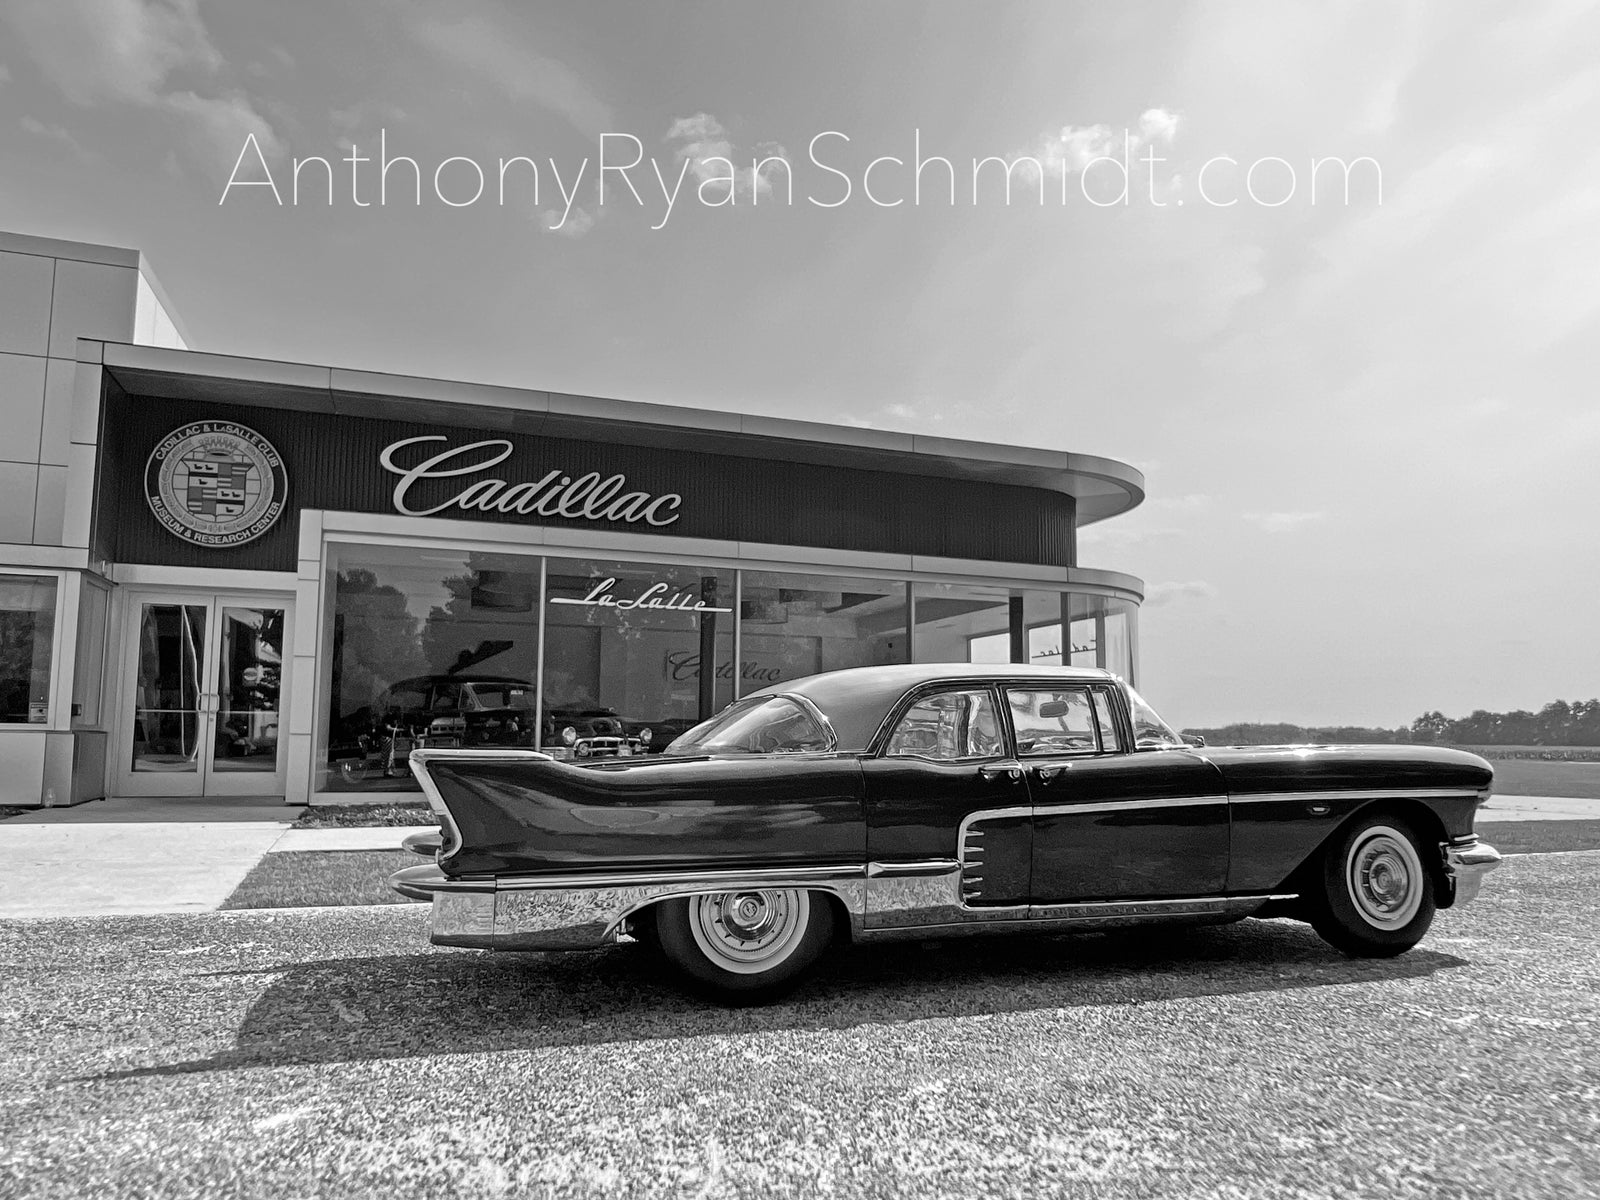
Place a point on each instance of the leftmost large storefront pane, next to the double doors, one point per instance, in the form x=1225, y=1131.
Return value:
x=430, y=647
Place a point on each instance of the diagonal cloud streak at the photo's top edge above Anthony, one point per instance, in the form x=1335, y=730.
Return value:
x=492, y=52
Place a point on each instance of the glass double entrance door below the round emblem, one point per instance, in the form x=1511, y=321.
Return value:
x=206, y=695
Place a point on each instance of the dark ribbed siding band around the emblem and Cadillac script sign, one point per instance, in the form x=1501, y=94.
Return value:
x=334, y=463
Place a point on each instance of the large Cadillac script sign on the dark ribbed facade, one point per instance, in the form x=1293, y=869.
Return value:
x=554, y=495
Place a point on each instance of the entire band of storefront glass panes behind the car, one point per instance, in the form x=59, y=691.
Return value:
x=441, y=649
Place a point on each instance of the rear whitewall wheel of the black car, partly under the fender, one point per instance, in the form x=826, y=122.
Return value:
x=745, y=946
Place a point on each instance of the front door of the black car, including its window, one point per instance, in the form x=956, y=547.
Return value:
x=1113, y=823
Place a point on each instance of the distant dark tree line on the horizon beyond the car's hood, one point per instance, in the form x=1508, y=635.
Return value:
x=1558, y=724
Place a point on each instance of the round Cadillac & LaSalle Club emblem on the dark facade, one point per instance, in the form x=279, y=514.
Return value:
x=217, y=484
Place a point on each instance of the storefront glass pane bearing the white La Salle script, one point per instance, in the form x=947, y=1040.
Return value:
x=634, y=654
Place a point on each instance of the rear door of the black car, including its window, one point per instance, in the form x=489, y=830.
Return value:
x=945, y=786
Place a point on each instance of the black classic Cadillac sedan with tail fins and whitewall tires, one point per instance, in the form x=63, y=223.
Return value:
x=932, y=801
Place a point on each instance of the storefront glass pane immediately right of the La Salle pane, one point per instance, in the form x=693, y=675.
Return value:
x=802, y=625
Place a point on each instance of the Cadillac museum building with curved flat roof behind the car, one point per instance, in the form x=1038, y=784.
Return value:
x=238, y=577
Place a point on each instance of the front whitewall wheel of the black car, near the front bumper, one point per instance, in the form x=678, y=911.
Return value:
x=1377, y=894
